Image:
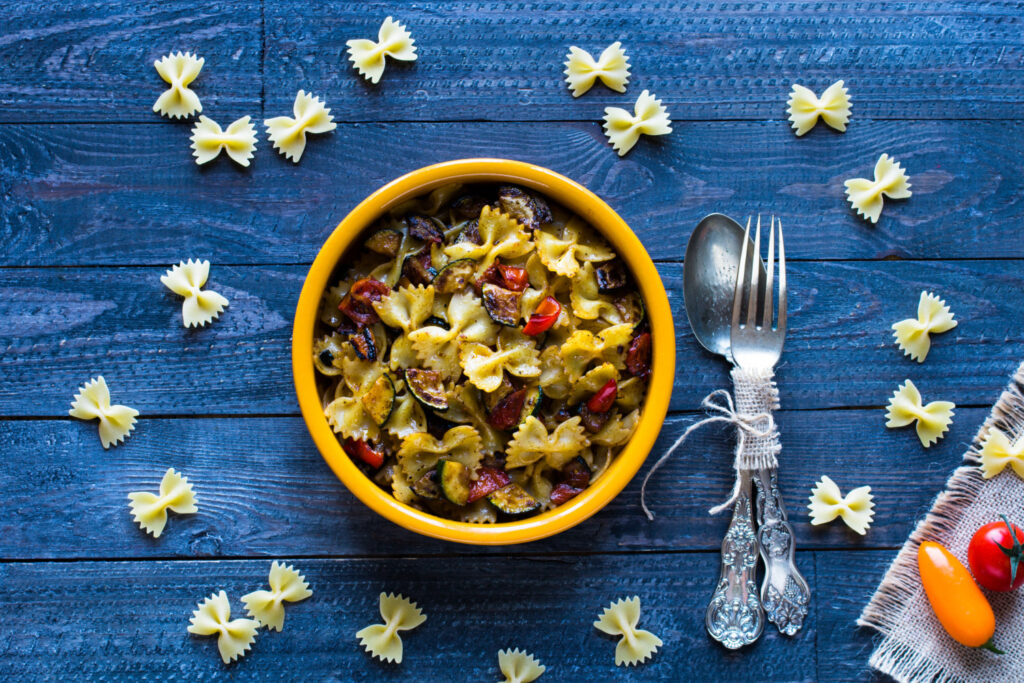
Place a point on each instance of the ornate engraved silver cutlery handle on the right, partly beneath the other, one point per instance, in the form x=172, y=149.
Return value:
x=785, y=594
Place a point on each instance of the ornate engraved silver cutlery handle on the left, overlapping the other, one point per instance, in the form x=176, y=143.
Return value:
x=735, y=617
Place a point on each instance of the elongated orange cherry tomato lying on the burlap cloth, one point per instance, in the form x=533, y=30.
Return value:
x=959, y=604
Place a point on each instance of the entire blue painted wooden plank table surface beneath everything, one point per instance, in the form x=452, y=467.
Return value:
x=99, y=196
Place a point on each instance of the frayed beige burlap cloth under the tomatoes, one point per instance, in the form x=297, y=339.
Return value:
x=915, y=647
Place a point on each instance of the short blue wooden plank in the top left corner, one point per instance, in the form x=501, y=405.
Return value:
x=94, y=61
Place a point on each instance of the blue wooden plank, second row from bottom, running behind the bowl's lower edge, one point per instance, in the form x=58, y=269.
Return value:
x=264, y=490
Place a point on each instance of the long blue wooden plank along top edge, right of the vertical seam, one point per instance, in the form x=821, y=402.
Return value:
x=707, y=61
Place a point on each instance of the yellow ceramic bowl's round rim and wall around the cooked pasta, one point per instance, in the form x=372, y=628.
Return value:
x=574, y=197
